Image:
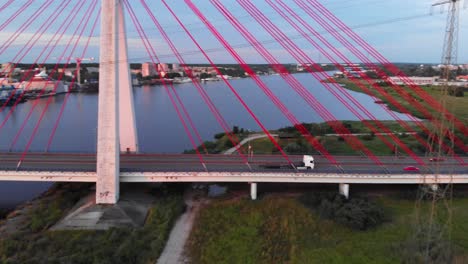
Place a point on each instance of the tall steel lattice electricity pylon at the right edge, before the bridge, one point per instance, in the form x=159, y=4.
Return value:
x=434, y=224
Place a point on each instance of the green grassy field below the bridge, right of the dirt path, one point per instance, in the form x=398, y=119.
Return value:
x=281, y=230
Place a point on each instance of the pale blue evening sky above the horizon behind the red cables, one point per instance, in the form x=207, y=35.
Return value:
x=401, y=31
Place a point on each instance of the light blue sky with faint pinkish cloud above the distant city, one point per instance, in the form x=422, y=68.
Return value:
x=401, y=30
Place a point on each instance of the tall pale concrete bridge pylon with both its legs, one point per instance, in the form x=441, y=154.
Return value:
x=116, y=114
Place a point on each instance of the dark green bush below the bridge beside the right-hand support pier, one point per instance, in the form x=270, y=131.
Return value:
x=356, y=213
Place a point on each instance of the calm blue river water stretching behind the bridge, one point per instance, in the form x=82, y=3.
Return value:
x=159, y=128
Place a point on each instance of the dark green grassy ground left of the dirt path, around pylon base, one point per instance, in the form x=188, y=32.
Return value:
x=33, y=243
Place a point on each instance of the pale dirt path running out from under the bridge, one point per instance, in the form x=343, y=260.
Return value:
x=174, y=251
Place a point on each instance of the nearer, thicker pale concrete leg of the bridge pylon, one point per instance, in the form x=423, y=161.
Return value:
x=108, y=152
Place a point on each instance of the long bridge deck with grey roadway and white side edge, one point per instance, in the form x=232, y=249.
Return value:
x=222, y=168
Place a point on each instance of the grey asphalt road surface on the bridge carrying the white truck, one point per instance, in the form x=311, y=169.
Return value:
x=223, y=163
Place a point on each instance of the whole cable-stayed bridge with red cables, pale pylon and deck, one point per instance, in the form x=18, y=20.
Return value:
x=118, y=159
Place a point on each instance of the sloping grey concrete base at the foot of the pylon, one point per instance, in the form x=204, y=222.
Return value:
x=130, y=211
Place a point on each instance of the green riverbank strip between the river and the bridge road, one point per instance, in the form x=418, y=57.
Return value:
x=292, y=142
